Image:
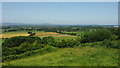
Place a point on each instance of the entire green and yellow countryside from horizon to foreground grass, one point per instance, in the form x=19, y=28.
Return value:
x=60, y=46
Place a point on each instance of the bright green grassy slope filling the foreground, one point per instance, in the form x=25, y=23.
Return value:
x=79, y=56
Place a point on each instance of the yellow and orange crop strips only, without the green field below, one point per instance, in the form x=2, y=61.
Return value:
x=39, y=34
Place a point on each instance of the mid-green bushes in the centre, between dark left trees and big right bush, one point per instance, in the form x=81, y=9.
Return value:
x=64, y=43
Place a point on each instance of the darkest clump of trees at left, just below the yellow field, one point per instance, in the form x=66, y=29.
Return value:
x=16, y=41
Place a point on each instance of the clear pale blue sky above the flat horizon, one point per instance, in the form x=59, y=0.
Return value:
x=101, y=13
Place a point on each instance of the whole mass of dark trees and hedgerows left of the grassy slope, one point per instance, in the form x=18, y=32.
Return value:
x=26, y=45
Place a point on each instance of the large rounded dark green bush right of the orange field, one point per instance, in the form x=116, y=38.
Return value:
x=96, y=35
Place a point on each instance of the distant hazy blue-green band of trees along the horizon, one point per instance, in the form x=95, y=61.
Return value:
x=54, y=28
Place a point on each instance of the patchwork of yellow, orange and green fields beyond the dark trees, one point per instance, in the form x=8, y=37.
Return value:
x=41, y=34
